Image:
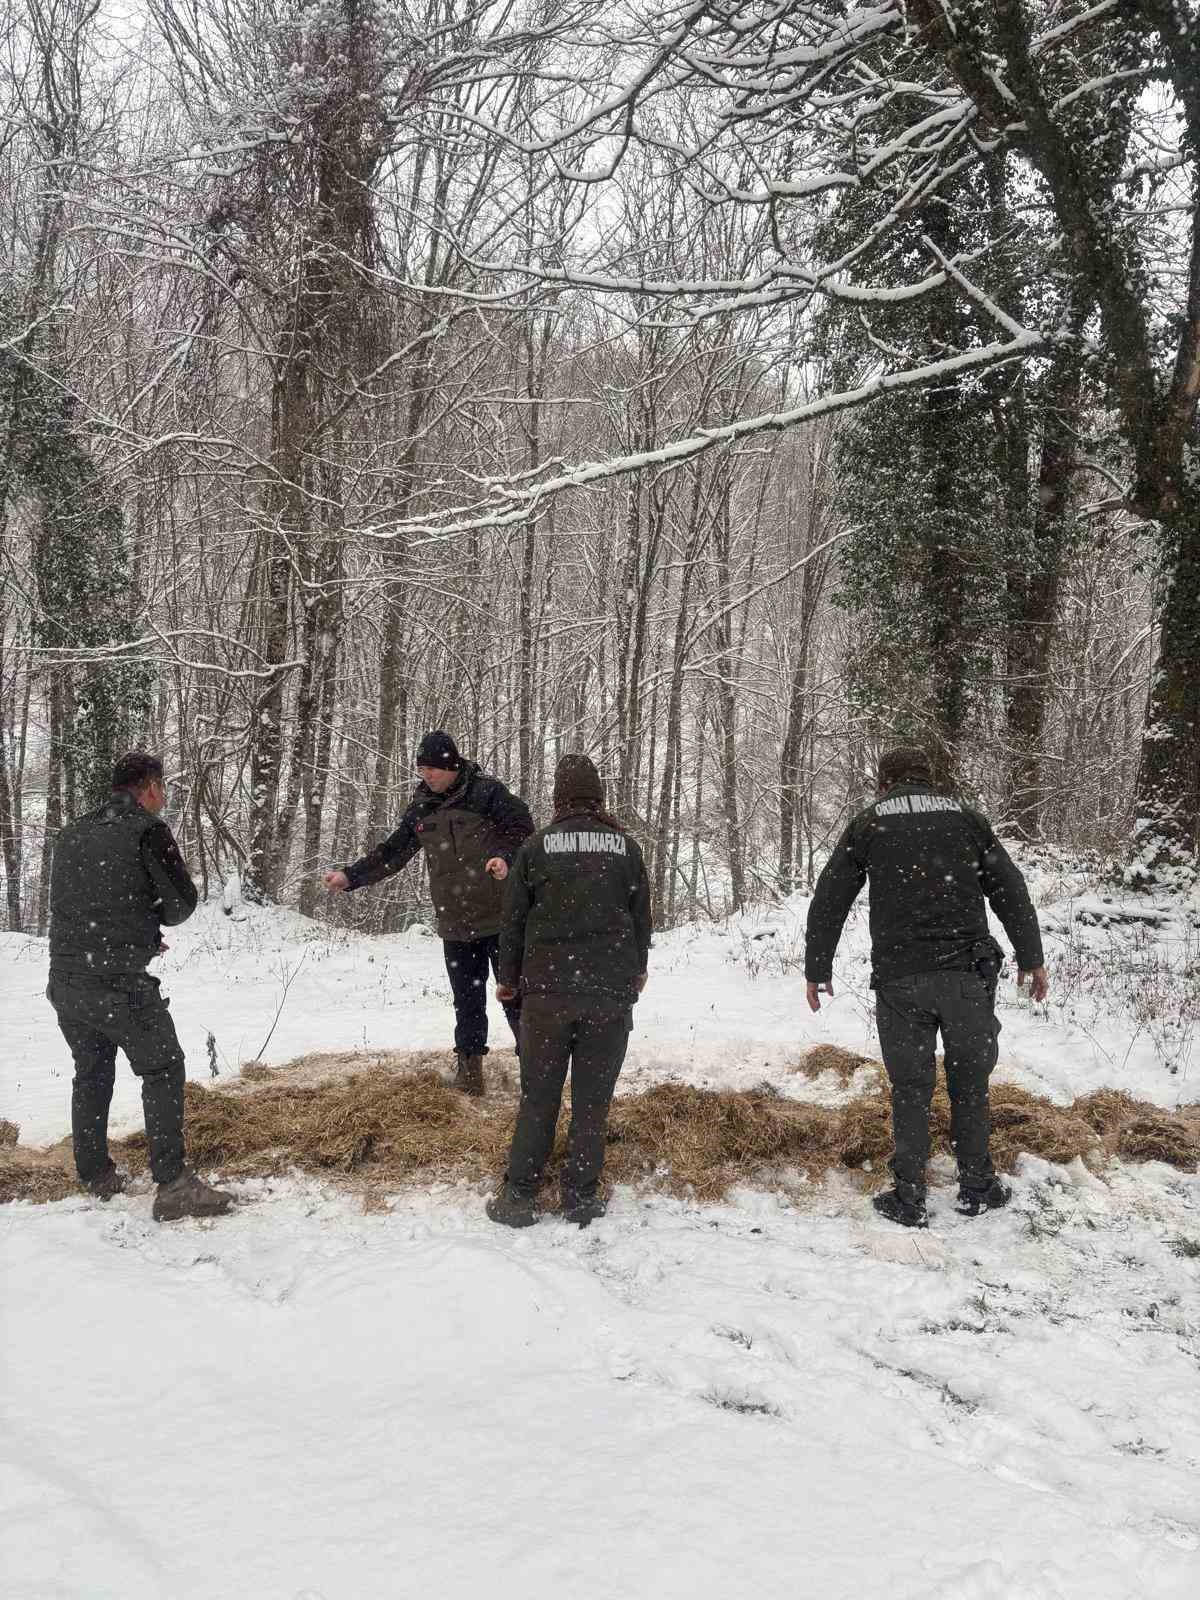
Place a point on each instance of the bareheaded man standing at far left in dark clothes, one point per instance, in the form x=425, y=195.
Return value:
x=118, y=878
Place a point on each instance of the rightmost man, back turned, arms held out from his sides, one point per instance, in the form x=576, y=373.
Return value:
x=935, y=966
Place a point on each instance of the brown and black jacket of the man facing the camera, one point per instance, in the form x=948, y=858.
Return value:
x=458, y=831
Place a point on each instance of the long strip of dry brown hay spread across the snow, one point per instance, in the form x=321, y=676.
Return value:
x=398, y=1121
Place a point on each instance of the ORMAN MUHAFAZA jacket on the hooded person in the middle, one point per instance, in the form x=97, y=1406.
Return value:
x=578, y=913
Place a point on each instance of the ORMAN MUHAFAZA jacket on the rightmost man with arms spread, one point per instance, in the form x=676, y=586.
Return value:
x=930, y=863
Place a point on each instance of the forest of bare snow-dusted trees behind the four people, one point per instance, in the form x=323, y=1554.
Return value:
x=727, y=391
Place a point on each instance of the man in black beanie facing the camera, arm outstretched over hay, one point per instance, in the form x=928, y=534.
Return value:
x=470, y=828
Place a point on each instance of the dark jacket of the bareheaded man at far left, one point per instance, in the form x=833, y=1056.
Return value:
x=116, y=879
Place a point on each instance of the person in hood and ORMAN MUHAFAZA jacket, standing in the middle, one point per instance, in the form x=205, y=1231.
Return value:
x=575, y=946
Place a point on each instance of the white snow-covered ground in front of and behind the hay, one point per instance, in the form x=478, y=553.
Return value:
x=774, y=1398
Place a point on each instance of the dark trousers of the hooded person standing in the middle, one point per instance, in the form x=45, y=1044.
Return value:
x=591, y=1038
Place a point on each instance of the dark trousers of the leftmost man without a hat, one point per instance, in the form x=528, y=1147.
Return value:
x=98, y=1018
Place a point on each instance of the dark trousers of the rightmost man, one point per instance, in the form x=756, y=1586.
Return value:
x=910, y=1015
